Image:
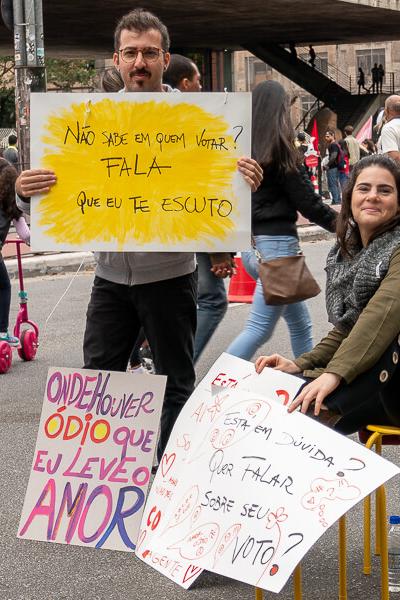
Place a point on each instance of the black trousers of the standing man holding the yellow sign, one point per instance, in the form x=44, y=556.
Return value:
x=167, y=311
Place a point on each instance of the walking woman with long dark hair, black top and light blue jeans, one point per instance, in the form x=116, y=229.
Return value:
x=285, y=189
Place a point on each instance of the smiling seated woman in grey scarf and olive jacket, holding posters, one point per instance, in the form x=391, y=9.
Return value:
x=353, y=373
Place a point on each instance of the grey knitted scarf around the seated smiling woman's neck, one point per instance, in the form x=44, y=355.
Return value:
x=352, y=282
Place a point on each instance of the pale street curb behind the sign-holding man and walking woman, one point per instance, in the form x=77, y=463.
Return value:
x=54, y=264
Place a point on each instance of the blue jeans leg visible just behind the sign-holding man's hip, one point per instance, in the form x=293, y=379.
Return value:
x=211, y=303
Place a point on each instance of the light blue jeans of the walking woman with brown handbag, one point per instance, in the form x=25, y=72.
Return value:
x=263, y=317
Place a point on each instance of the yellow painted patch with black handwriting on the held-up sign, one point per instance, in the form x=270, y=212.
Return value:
x=139, y=171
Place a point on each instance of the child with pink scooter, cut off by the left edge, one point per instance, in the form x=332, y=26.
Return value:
x=9, y=212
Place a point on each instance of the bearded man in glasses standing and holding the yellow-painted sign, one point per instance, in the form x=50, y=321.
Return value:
x=150, y=289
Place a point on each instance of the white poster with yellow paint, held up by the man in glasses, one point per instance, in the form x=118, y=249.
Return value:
x=142, y=171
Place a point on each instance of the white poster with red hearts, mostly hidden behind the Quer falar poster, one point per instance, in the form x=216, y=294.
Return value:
x=201, y=411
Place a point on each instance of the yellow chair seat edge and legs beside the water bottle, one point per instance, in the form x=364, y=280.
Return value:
x=378, y=435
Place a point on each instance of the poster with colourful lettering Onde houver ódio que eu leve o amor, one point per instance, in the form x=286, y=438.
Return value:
x=93, y=458
